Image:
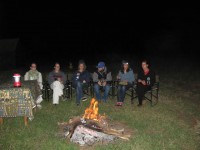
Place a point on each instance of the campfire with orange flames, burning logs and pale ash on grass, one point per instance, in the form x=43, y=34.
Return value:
x=91, y=128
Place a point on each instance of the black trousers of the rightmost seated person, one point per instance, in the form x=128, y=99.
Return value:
x=141, y=90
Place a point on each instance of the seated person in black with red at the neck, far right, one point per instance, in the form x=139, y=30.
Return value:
x=146, y=79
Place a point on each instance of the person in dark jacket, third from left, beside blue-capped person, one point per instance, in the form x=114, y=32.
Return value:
x=80, y=80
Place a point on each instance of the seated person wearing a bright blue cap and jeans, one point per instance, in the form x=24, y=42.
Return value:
x=102, y=79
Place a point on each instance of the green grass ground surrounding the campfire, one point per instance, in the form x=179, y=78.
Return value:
x=173, y=124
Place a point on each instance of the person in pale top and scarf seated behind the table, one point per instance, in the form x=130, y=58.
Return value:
x=34, y=74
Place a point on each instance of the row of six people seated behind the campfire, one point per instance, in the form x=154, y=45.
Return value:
x=101, y=79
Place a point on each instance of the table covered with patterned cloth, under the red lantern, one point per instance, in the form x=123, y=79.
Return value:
x=18, y=101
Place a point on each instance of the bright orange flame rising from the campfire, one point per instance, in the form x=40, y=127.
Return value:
x=92, y=111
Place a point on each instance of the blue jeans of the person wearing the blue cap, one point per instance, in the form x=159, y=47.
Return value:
x=97, y=89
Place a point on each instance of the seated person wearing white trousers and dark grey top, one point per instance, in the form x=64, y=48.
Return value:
x=57, y=80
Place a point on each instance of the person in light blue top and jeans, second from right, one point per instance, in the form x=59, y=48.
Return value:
x=126, y=79
